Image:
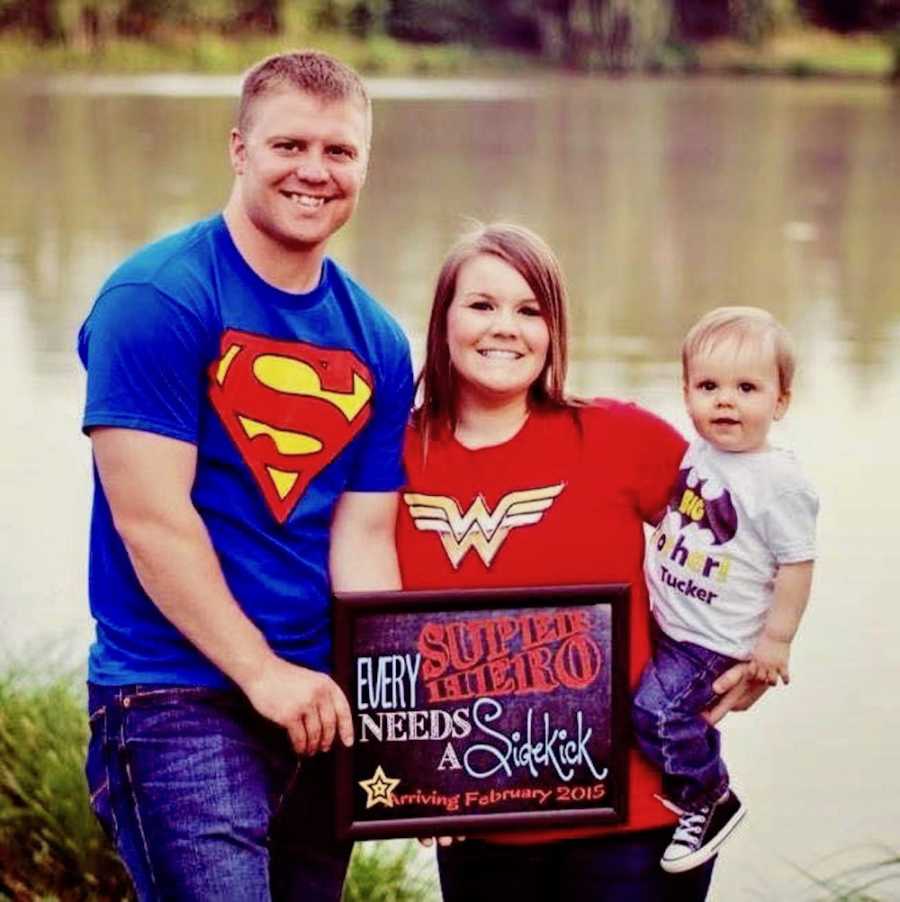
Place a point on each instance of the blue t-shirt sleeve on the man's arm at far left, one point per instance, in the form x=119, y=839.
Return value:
x=145, y=357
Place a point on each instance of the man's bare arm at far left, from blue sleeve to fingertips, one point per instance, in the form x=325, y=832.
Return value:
x=147, y=480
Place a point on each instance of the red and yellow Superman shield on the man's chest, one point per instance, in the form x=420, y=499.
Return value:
x=289, y=407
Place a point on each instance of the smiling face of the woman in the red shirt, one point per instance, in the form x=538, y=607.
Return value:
x=496, y=332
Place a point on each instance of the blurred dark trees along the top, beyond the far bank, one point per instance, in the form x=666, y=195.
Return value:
x=611, y=35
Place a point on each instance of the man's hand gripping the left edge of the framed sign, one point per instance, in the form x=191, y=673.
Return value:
x=308, y=704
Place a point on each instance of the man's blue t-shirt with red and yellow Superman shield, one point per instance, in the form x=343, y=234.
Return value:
x=290, y=399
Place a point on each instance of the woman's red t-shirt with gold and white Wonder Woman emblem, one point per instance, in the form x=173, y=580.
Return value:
x=599, y=473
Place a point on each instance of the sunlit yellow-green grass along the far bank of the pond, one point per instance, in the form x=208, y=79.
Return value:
x=796, y=51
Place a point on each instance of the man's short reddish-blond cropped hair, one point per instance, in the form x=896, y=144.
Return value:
x=311, y=71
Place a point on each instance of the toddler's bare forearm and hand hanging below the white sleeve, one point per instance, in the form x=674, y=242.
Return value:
x=773, y=648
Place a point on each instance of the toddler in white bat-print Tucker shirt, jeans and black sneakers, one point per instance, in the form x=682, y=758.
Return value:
x=729, y=567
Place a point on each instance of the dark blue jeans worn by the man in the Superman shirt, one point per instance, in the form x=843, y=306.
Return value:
x=204, y=798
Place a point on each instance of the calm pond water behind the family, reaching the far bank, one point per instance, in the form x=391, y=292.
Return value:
x=663, y=199
